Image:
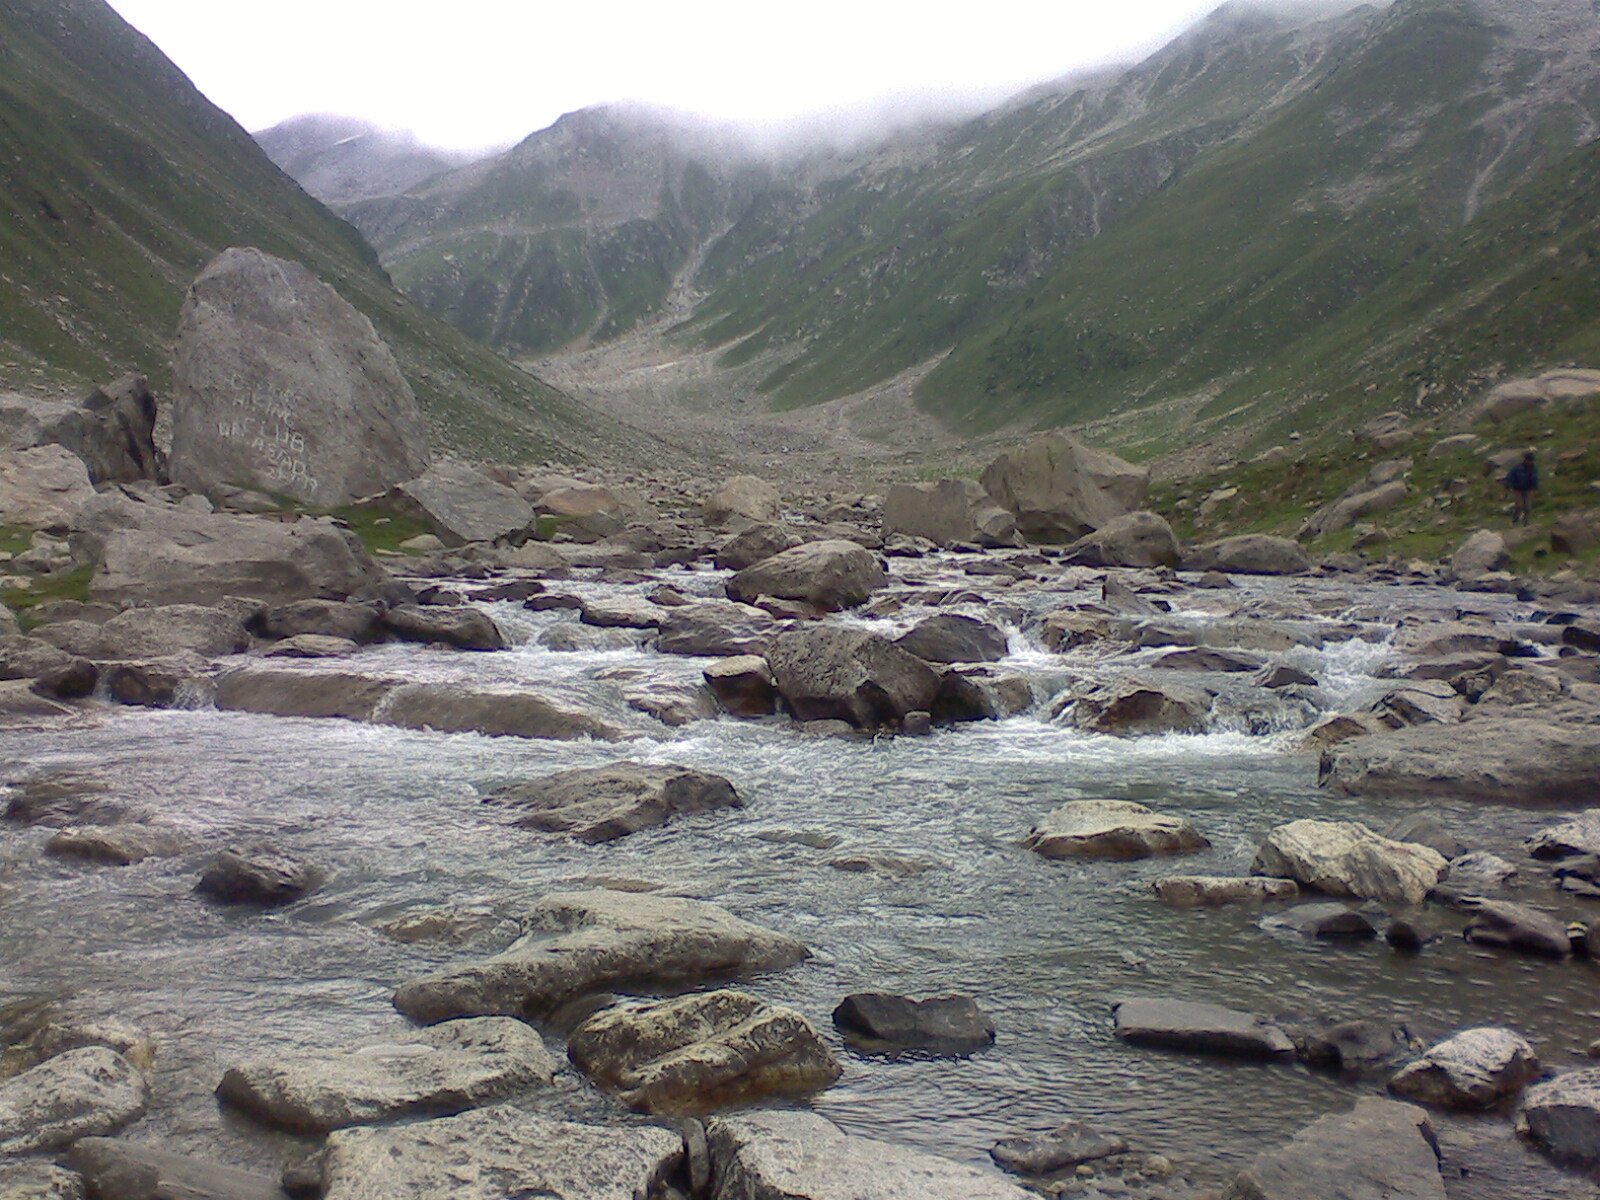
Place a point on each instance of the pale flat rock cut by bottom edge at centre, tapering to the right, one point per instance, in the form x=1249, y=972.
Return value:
x=799, y=1156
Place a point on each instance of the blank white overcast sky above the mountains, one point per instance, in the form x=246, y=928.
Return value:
x=481, y=73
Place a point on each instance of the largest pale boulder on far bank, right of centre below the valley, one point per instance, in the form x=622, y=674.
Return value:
x=1062, y=490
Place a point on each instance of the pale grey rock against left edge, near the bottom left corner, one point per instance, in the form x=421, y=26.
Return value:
x=76, y=1095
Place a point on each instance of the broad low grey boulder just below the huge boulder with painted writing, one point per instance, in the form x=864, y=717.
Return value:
x=164, y=554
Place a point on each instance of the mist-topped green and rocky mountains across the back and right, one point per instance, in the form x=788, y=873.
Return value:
x=1284, y=218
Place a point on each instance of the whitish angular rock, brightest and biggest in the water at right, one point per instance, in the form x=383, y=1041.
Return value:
x=1345, y=858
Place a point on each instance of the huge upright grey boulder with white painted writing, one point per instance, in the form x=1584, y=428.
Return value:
x=281, y=385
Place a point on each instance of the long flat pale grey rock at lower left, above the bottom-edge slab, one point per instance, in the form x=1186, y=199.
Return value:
x=449, y=1068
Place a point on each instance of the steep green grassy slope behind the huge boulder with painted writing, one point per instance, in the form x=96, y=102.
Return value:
x=119, y=182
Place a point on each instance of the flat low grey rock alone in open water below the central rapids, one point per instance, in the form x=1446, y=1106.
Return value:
x=602, y=804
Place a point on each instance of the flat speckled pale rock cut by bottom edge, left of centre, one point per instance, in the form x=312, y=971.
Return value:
x=494, y=1154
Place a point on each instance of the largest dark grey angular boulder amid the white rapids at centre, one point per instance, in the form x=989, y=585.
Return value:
x=834, y=673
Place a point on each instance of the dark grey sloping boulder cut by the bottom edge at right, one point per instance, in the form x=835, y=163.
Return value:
x=1378, y=1151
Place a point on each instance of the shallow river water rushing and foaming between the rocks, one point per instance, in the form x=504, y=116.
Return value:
x=954, y=905
